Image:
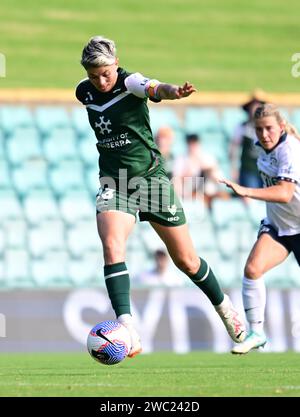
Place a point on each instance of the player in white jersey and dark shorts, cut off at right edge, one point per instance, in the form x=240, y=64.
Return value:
x=279, y=234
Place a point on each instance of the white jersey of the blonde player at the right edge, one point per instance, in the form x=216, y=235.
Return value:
x=282, y=163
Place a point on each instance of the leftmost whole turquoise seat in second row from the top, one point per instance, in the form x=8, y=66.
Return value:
x=24, y=145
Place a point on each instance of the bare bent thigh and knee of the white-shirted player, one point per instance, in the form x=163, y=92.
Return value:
x=265, y=255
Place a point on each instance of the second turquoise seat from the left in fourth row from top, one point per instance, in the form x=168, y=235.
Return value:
x=40, y=206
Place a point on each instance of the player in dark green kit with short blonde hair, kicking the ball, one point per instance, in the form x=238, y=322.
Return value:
x=133, y=180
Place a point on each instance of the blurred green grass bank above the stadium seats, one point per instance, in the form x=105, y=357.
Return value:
x=219, y=45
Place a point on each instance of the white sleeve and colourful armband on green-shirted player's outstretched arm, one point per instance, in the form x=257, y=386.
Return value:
x=142, y=87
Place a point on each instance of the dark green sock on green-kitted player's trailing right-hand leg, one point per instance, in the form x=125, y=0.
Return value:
x=207, y=282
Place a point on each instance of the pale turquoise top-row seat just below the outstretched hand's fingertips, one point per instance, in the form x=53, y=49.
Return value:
x=200, y=120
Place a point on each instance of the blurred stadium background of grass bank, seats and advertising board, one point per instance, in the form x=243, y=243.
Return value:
x=51, y=268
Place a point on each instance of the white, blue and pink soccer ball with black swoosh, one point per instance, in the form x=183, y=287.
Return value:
x=109, y=342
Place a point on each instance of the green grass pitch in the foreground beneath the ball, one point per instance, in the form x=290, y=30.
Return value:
x=197, y=374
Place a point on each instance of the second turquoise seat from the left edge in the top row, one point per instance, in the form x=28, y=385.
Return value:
x=50, y=117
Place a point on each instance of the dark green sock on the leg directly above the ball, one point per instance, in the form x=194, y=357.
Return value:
x=118, y=287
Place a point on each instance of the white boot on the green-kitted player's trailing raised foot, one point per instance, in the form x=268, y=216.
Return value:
x=232, y=320
